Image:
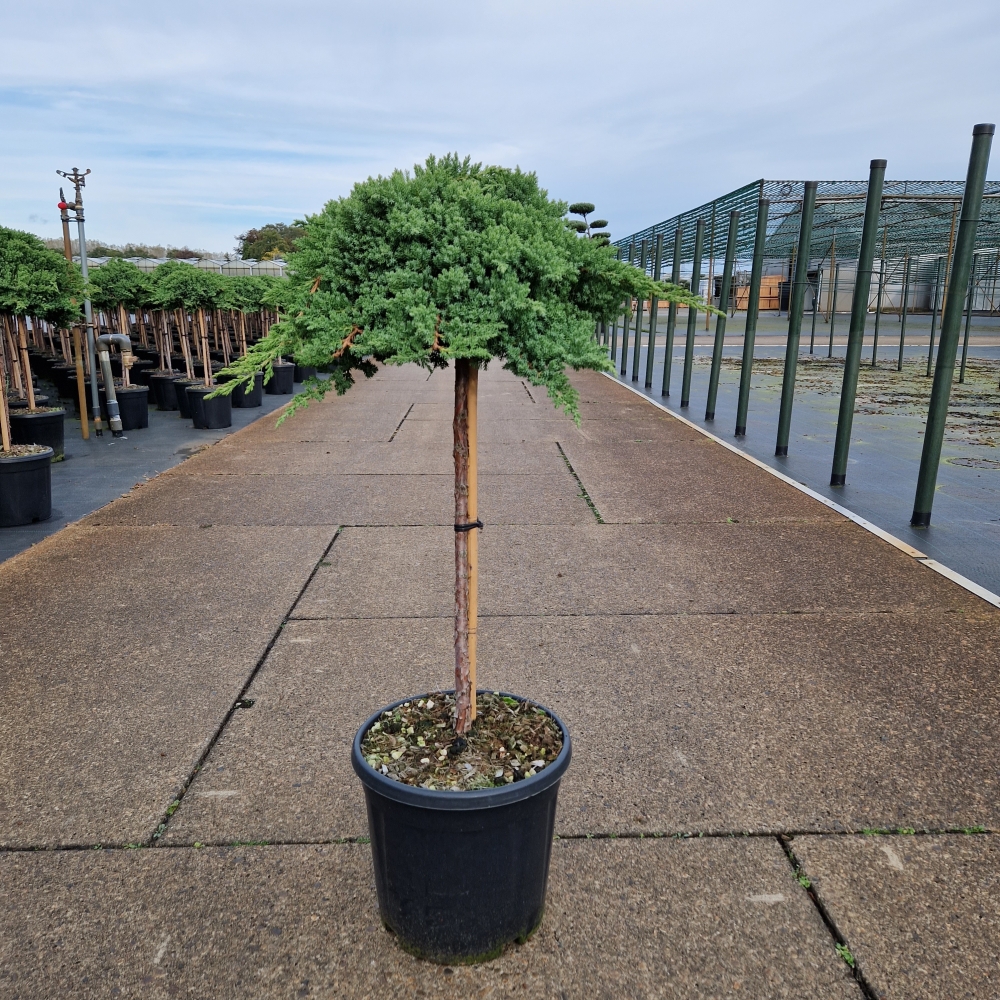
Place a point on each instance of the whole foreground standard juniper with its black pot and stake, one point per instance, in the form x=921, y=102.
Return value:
x=454, y=266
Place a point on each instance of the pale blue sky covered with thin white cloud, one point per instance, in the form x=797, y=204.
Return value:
x=199, y=121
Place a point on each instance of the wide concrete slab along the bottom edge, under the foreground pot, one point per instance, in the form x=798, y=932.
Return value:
x=623, y=919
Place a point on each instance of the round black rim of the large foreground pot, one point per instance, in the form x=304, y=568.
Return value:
x=445, y=799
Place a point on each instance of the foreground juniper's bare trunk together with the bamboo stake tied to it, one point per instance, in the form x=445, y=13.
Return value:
x=466, y=392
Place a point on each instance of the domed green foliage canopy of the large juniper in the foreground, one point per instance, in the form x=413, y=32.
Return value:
x=453, y=261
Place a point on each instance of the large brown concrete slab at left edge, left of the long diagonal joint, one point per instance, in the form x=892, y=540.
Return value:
x=121, y=650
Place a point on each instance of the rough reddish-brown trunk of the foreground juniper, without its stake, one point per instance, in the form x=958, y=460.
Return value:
x=463, y=705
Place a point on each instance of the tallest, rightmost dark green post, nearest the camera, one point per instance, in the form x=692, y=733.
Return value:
x=944, y=371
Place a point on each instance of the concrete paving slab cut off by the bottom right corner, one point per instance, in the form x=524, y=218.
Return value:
x=921, y=915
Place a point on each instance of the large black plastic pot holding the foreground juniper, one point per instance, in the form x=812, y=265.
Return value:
x=460, y=875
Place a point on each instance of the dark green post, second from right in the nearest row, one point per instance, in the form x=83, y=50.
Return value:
x=859, y=316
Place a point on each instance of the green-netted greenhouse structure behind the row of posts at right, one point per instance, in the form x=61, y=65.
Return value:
x=918, y=223
